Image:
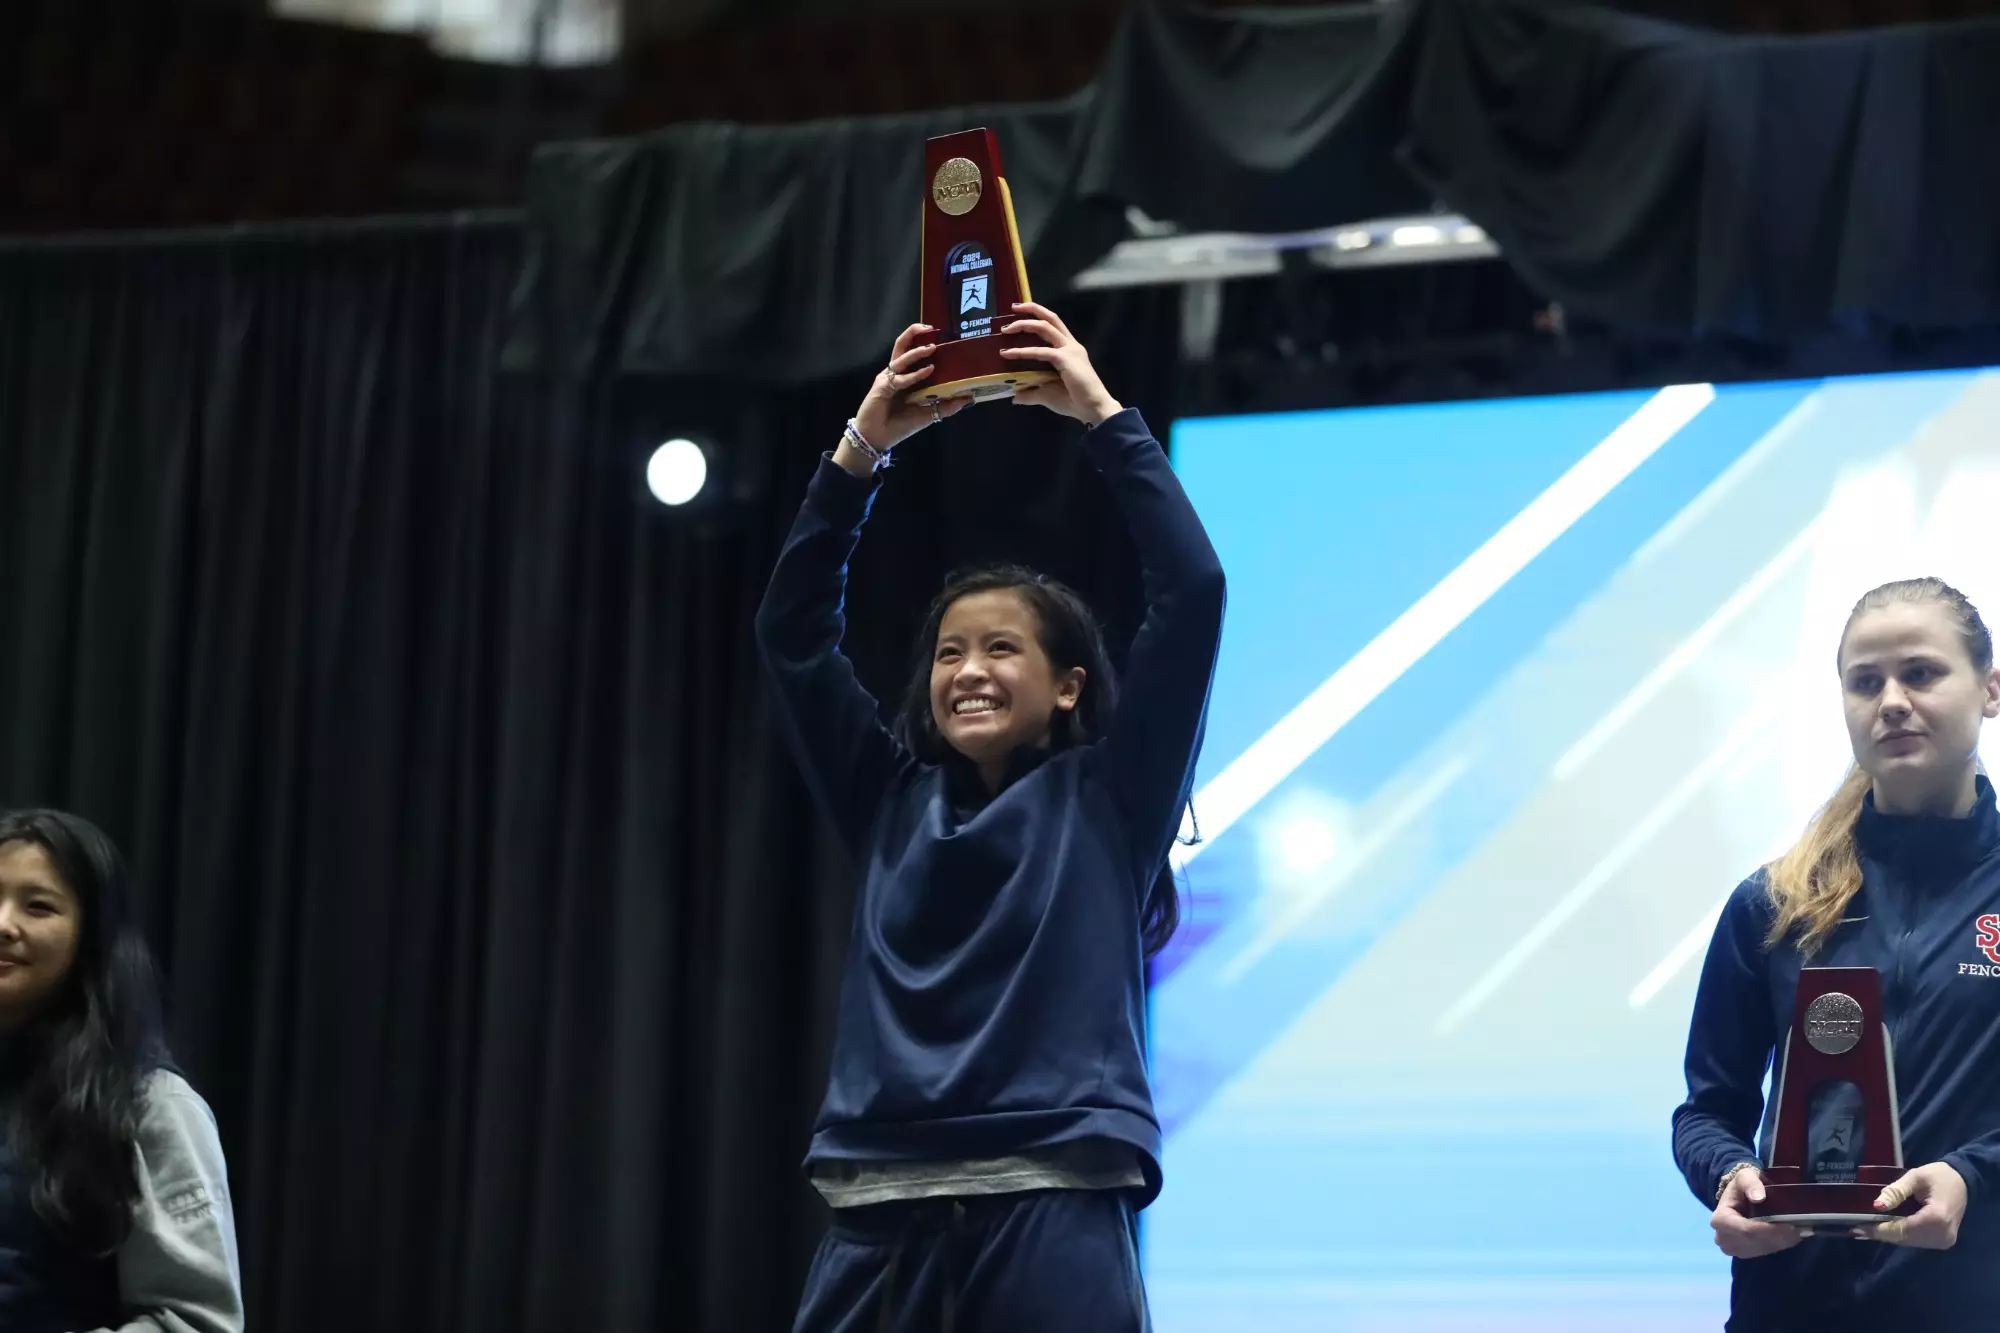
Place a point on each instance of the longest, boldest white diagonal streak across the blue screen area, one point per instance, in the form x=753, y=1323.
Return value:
x=1417, y=631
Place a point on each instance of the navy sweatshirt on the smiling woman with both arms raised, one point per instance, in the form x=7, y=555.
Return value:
x=995, y=994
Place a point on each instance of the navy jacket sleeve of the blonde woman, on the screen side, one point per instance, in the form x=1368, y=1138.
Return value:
x=1731, y=1044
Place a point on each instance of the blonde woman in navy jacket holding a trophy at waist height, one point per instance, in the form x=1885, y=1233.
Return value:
x=1901, y=872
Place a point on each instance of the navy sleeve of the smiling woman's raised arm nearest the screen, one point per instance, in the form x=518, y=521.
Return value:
x=1163, y=702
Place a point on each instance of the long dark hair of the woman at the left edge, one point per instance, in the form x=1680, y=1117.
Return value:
x=83, y=1064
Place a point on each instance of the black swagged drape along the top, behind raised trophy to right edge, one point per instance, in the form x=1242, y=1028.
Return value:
x=1651, y=175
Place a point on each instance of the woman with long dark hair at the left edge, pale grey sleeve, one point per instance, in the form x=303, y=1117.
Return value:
x=115, y=1208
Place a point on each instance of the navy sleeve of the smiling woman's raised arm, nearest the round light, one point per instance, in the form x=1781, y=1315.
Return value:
x=829, y=718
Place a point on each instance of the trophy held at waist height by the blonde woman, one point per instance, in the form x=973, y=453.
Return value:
x=1839, y=1134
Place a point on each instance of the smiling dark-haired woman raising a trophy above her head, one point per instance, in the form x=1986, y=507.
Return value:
x=989, y=1132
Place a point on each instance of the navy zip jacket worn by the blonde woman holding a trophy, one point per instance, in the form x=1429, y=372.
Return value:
x=1929, y=920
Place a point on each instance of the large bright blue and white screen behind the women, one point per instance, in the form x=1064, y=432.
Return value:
x=1511, y=698
